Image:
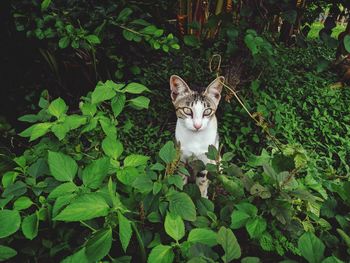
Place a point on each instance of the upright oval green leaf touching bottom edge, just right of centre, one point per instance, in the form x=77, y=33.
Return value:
x=229, y=243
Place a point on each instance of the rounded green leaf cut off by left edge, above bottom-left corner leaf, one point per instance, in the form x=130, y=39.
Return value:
x=10, y=222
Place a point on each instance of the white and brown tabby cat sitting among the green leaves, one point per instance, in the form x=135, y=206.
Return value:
x=196, y=126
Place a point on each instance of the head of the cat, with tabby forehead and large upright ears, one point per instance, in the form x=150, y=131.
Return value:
x=195, y=108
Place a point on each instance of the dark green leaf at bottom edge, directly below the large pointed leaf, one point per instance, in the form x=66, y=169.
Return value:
x=99, y=244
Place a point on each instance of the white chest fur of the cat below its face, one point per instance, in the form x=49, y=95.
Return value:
x=196, y=143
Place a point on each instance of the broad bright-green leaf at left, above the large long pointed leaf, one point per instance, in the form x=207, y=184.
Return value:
x=62, y=167
